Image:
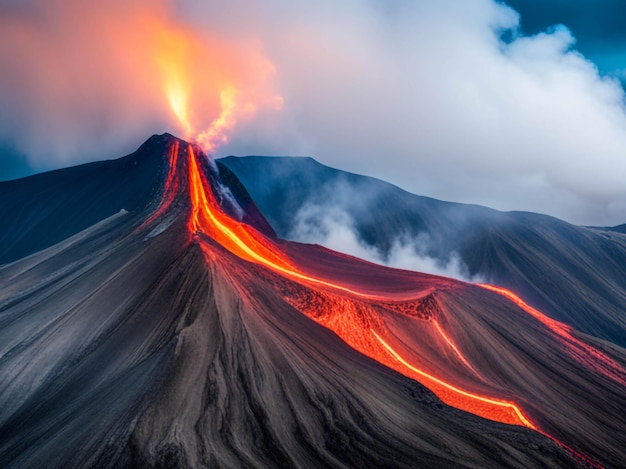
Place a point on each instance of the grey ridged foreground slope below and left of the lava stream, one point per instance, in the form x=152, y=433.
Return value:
x=129, y=346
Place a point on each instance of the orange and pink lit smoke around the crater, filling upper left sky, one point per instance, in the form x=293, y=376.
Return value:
x=89, y=80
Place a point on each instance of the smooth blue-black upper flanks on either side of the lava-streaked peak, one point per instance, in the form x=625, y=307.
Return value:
x=41, y=210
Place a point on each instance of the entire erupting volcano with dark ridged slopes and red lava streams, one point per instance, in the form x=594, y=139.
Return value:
x=150, y=317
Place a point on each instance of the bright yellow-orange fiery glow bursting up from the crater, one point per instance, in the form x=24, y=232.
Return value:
x=210, y=85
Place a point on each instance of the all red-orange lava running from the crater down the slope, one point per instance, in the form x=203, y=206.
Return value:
x=367, y=319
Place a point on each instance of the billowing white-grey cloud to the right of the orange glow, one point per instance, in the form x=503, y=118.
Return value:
x=426, y=95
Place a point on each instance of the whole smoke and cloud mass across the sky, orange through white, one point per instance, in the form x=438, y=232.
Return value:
x=445, y=98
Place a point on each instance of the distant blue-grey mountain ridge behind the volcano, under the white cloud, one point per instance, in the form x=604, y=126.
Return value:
x=575, y=274
